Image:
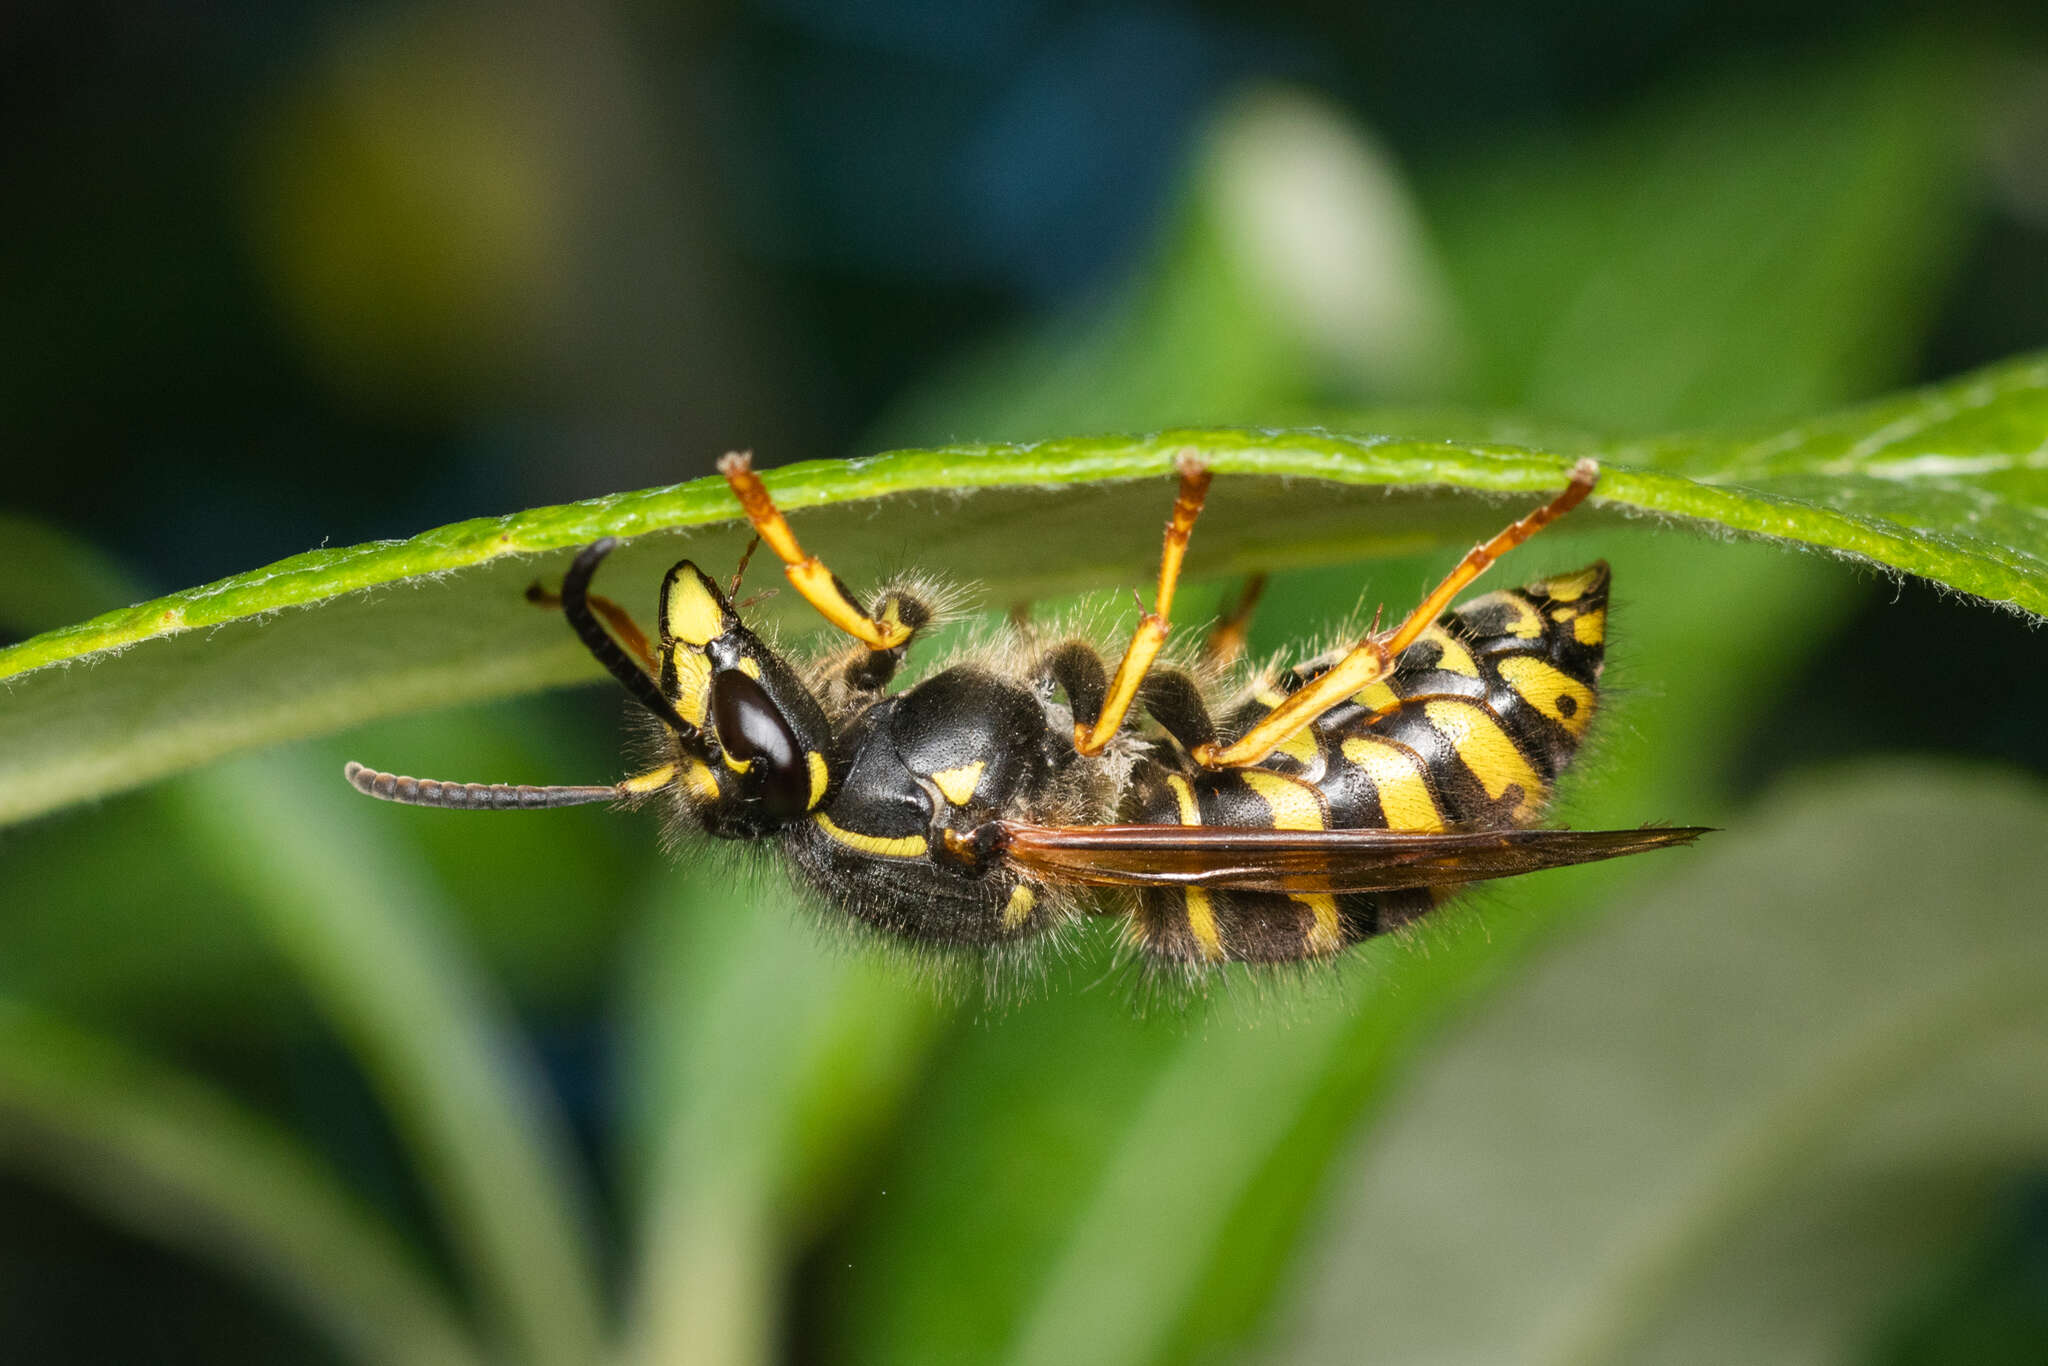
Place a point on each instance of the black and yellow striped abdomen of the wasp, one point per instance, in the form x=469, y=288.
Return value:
x=1467, y=732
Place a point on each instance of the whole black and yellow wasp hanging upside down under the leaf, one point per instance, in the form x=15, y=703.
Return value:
x=998, y=800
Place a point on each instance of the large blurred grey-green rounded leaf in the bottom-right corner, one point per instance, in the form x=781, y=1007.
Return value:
x=1734, y=1125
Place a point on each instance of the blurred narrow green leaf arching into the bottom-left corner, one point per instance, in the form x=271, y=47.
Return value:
x=175, y=1162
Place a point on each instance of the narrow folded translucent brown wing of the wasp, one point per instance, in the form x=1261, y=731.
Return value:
x=1310, y=861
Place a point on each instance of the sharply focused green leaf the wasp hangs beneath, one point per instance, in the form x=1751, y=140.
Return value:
x=1940, y=482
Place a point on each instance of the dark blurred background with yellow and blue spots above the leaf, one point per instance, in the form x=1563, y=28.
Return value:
x=288, y=275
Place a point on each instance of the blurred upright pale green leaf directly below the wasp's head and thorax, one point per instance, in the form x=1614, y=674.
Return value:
x=763, y=1064
